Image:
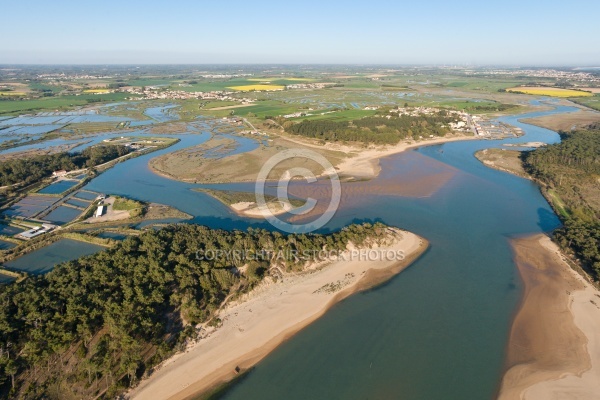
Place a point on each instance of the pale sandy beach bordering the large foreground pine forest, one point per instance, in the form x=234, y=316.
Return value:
x=258, y=322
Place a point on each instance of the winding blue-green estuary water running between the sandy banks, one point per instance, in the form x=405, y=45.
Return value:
x=436, y=331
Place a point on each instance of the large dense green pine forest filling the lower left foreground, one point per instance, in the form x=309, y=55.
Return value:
x=93, y=326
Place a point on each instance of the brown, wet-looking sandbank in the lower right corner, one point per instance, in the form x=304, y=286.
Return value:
x=554, y=348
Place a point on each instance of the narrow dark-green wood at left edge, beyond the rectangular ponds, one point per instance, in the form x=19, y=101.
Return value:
x=29, y=170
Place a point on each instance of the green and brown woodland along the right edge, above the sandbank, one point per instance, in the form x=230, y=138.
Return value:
x=571, y=169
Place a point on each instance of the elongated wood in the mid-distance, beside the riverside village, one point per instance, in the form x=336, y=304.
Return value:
x=376, y=129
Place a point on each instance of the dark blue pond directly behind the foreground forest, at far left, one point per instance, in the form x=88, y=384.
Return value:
x=44, y=259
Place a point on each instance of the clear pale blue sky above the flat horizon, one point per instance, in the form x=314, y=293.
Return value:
x=365, y=32
